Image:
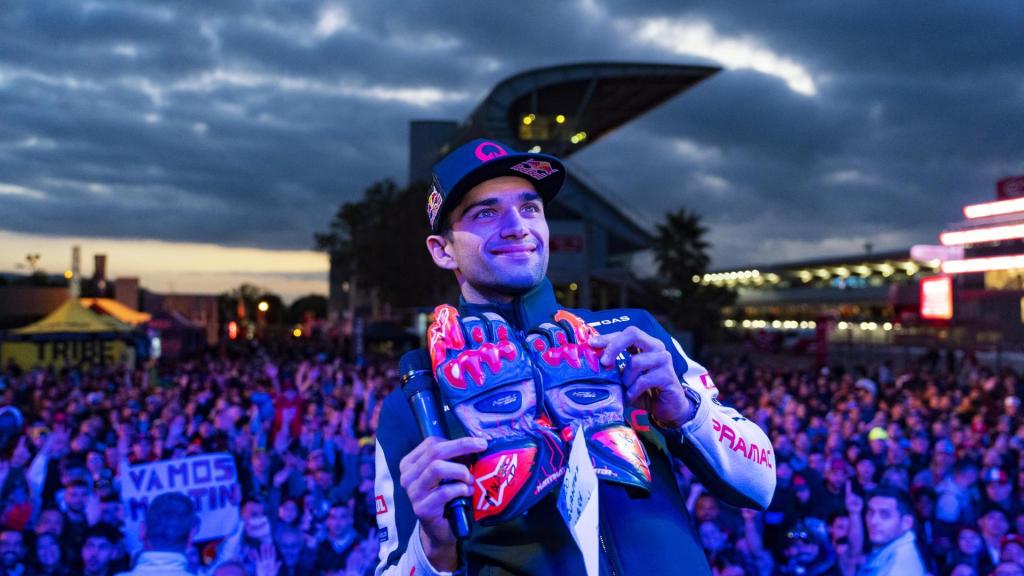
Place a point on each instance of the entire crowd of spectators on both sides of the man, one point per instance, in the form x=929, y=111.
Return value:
x=938, y=444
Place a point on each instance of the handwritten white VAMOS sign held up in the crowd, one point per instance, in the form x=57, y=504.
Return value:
x=210, y=480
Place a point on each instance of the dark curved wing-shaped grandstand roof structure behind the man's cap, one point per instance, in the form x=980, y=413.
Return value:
x=561, y=110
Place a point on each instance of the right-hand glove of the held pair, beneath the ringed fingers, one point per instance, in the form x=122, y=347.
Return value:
x=579, y=391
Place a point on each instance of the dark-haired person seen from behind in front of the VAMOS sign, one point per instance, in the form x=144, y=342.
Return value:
x=167, y=532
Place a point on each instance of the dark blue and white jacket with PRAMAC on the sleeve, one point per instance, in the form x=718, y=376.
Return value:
x=642, y=532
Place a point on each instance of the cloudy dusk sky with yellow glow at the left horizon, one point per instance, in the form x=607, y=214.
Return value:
x=202, y=144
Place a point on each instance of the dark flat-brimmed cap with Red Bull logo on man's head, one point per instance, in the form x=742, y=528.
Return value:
x=483, y=160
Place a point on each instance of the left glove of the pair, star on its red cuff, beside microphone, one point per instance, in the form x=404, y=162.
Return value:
x=487, y=379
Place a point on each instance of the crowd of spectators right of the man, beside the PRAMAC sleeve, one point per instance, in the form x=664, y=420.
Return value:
x=940, y=443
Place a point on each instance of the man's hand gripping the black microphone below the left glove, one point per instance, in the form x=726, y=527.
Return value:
x=433, y=480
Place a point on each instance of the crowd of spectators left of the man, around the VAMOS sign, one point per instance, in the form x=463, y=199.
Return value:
x=301, y=431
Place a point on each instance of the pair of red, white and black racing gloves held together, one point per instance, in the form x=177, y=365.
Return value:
x=528, y=397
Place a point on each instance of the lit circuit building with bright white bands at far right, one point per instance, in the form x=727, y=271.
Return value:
x=968, y=293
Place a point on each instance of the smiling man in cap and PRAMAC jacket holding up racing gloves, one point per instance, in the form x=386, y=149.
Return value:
x=487, y=212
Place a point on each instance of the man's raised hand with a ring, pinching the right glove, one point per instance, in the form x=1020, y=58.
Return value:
x=650, y=379
